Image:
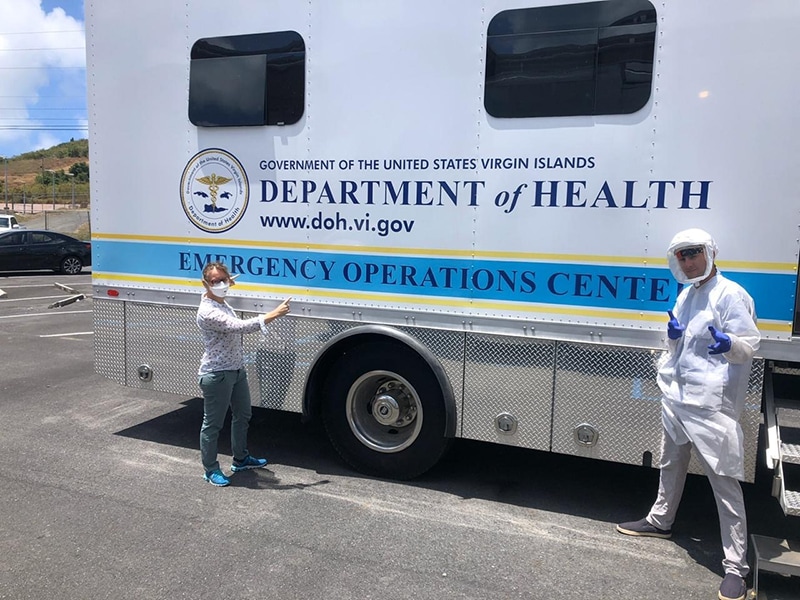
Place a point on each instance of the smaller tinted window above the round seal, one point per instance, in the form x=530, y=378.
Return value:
x=256, y=79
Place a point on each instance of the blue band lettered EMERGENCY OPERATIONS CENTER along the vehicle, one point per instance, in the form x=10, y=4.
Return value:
x=563, y=284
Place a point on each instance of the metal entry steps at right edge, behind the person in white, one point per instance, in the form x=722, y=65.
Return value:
x=782, y=420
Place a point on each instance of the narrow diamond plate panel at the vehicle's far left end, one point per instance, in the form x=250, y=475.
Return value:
x=109, y=339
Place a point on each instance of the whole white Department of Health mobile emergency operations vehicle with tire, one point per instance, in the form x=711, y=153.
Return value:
x=468, y=202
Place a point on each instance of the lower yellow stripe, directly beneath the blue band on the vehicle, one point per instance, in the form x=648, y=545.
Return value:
x=778, y=326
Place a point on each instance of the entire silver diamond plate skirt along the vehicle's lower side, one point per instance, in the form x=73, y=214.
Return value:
x=612, y=389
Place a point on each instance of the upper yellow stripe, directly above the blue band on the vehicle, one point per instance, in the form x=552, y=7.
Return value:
x=530, y=256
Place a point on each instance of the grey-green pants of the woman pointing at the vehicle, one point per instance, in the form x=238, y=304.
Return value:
x=223, y=390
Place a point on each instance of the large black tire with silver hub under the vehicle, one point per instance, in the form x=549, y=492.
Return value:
x=384, y=411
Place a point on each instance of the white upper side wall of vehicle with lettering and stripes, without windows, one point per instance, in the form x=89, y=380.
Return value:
x=411, y=197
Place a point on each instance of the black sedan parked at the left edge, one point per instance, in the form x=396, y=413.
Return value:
x=31, y=249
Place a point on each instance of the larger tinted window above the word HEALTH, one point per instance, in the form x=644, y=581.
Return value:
x=593, y=58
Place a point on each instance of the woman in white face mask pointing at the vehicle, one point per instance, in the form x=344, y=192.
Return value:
x=222, y=376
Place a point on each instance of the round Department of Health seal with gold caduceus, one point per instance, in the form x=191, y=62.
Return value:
x=214, y=190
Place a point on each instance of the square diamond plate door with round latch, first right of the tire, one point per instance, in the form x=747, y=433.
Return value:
x=508, y=375
